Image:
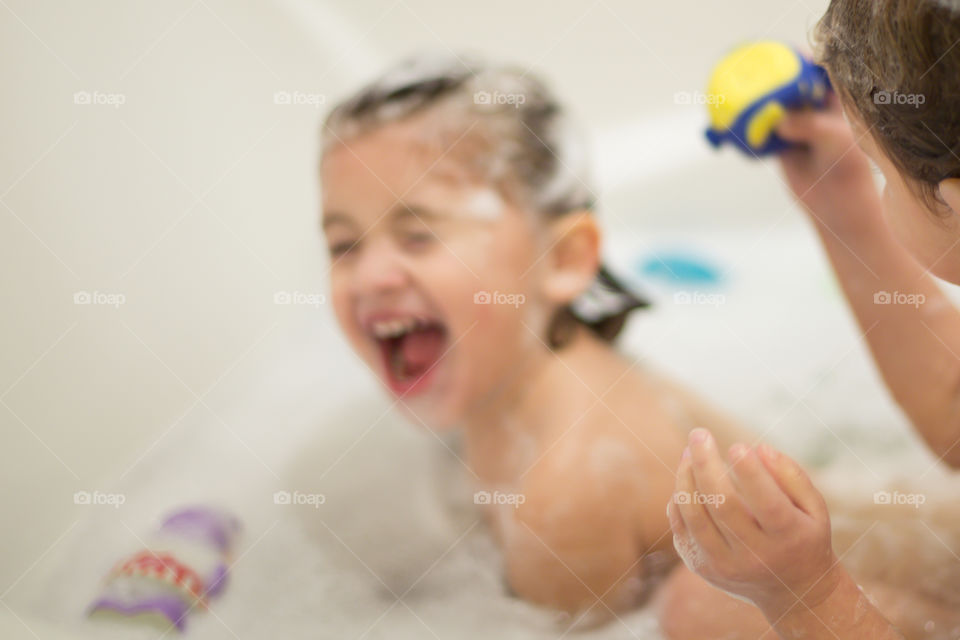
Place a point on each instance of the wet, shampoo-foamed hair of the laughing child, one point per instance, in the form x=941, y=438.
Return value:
x=520, y=139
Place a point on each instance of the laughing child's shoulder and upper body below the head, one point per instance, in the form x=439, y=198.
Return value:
x=582, y=492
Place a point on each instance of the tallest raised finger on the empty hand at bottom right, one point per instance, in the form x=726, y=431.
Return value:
x=716, y=488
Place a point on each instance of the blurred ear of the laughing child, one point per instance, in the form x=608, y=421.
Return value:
x=574, y=256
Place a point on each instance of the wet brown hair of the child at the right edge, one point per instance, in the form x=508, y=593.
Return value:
x=897, y=64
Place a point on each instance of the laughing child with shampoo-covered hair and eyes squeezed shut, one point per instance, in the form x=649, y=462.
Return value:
x=465, y=273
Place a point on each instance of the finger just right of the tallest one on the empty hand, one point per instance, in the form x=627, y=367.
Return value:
x=769, y=504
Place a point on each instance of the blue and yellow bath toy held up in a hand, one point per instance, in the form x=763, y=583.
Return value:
x=751, y=90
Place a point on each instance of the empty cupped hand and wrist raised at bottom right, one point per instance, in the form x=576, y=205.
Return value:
x=760, y=530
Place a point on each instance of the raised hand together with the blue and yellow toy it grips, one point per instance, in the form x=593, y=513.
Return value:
x=768, y=98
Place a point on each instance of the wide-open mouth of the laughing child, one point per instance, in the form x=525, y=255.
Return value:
x=411, y=348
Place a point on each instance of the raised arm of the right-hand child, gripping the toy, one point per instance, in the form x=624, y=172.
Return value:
x=911, y=327
